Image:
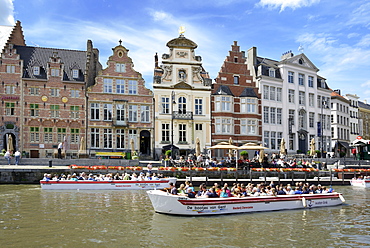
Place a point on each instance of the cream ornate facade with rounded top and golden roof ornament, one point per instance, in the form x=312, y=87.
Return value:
x=182, y=91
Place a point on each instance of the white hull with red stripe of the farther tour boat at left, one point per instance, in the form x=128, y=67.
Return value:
x=106, y=185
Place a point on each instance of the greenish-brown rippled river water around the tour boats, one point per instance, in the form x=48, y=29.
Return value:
x=31, y=217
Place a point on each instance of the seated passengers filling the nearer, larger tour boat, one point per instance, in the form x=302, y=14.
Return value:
x=242, y=190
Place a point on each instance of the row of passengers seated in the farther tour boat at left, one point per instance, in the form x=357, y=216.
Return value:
x=103, y=177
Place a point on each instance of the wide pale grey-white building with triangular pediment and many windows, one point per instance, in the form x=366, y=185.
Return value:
x=295, y=102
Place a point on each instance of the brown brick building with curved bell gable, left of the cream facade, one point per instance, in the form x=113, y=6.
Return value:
x=121, y=108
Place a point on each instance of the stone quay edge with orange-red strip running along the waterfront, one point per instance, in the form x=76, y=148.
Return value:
x=330, y=172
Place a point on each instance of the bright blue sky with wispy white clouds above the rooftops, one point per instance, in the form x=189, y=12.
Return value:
x=334, y=33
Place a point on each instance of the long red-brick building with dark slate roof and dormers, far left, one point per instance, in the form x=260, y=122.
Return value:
x=43, y=96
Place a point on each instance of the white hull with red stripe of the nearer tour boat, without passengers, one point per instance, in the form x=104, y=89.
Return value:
x=166, y=203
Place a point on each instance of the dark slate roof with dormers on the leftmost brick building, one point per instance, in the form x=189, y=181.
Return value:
x=40, y=56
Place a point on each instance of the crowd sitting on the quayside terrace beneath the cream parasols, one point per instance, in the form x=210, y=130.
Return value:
x=269, y=161
